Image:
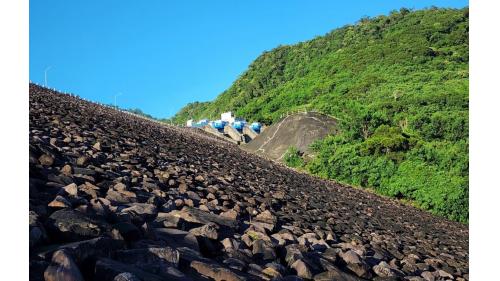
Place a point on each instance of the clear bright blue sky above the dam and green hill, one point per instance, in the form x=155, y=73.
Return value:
x=163, y=54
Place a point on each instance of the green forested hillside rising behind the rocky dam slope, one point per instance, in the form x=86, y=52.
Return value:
x=398, y=85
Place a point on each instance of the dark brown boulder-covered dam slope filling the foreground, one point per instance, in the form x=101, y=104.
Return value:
x=117, y=197
